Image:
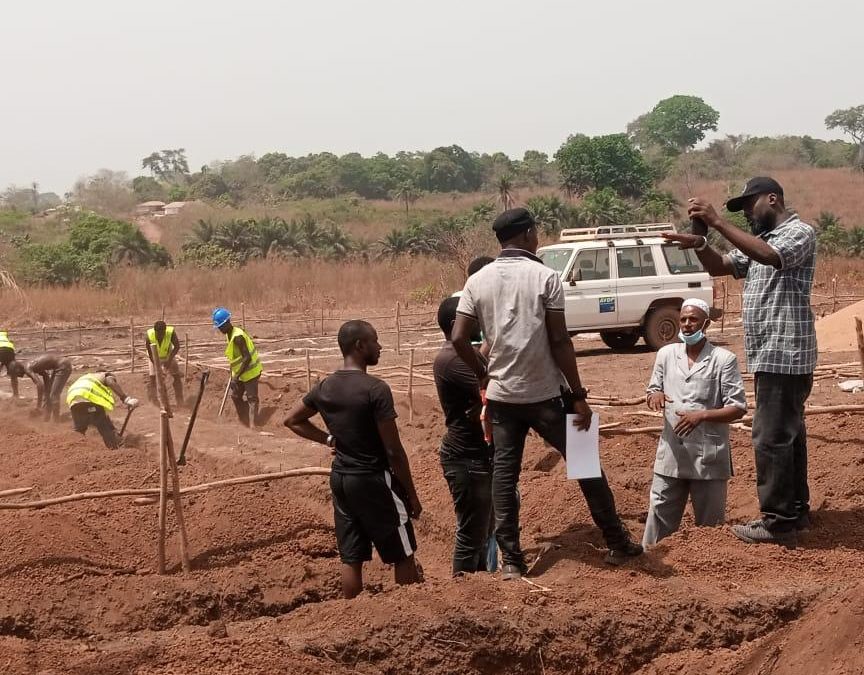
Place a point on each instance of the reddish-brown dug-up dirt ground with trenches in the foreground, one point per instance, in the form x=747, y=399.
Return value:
x=78, y=592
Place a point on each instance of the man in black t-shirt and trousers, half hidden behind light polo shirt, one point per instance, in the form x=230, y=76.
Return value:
x=466, y=458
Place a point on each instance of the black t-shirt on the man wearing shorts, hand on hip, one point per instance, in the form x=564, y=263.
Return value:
x=352, y=403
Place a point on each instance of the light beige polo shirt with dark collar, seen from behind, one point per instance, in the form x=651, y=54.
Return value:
x=509, y=298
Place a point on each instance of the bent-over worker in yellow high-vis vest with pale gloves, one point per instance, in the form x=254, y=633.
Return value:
x=90, y=398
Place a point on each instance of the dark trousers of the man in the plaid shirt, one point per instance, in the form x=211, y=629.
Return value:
x=780, y=445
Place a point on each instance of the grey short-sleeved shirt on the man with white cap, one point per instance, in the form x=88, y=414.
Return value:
x=714, y=381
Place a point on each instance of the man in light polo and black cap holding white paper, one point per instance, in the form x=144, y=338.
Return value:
x=533, y=379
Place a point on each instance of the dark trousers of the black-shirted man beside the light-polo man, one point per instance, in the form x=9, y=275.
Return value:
x=470, y=483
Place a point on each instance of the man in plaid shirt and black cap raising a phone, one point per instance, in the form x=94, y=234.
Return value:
x=777, y=263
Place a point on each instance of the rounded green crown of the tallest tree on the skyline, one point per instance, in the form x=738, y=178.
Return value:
x=679, y=122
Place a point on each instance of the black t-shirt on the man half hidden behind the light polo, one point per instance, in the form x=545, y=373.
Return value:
x=459, y=395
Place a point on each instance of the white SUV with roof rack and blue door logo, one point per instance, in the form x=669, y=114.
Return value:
x=627, y=282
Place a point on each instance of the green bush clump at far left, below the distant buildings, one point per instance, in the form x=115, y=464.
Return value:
x=94, y=245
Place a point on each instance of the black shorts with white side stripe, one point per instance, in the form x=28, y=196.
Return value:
x=371, y=509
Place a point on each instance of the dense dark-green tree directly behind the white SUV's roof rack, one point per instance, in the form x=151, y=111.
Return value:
x=602, y=162
